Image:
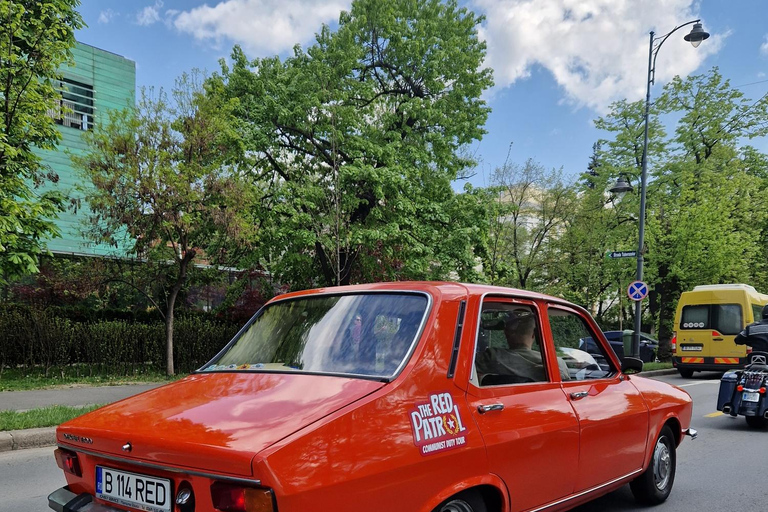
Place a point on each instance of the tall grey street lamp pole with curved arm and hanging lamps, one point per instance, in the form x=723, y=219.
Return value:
x=695, y=37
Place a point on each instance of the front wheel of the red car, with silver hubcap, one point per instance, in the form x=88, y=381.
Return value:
x=655, y=483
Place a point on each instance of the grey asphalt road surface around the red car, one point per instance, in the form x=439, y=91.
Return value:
x=721, y=470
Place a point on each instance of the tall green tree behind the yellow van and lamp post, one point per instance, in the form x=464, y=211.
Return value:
x=704, y=225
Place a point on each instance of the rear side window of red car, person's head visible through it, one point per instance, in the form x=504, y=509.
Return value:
x=508, y=349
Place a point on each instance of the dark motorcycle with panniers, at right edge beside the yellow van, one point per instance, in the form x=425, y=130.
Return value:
x=743, y=392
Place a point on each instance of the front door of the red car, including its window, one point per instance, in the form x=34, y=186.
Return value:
x=612, y=414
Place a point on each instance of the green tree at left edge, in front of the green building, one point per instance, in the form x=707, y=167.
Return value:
x=35, y=40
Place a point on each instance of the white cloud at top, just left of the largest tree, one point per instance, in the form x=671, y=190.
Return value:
x=260, y=26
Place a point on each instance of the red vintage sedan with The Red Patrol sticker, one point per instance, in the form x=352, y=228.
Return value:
x=416, y=397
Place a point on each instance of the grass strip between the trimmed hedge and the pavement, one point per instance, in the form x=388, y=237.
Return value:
x=17, y=379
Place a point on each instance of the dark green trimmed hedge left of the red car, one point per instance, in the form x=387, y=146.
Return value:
x=43, y=337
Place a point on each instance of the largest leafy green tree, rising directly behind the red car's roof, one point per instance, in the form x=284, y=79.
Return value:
x=357, y=140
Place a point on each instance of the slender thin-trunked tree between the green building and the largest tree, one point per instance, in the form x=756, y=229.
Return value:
x=162, y=179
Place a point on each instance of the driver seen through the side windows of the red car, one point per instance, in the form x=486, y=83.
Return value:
x=519, y=362
